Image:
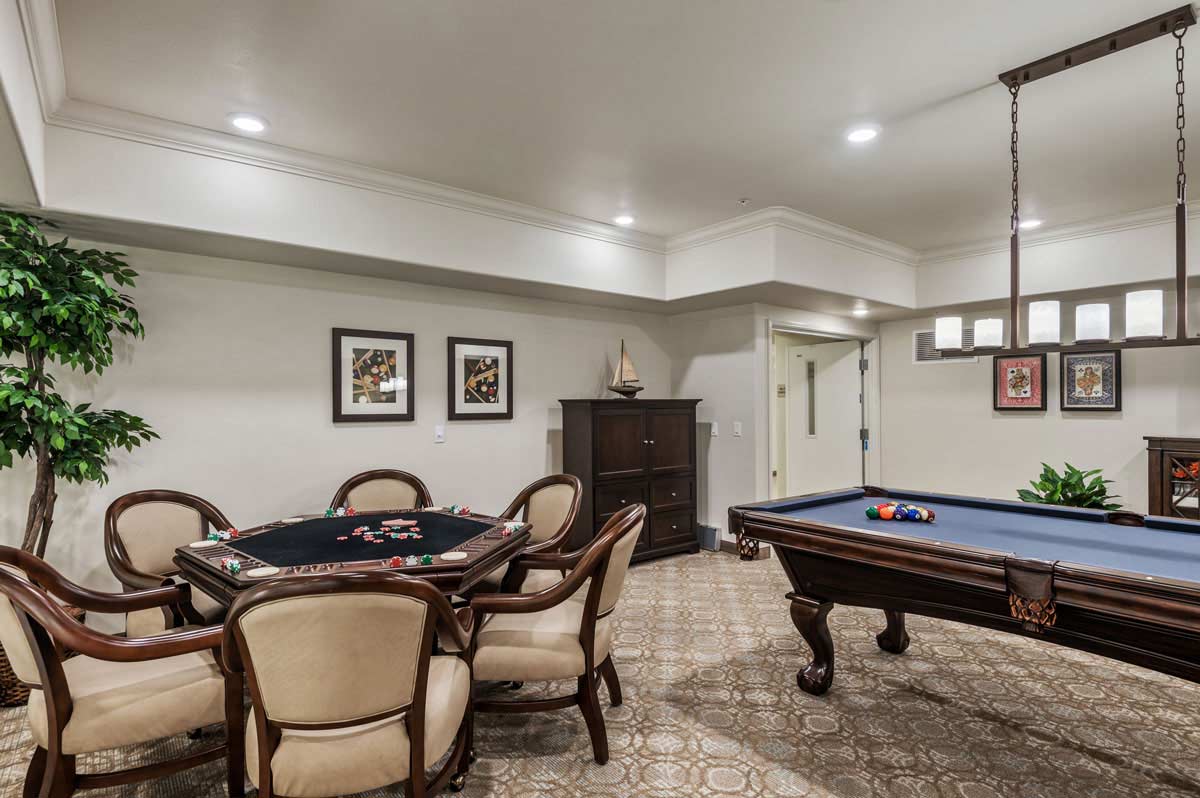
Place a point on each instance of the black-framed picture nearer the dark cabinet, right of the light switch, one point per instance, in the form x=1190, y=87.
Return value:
x=481, y=375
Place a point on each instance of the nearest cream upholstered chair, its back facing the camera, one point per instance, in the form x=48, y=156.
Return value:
x=346, y=694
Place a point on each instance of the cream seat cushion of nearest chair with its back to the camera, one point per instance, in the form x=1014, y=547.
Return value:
x=340, y=761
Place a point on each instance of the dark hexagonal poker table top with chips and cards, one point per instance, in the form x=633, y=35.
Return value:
x=452, y=551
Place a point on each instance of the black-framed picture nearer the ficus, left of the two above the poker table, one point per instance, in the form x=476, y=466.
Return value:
x=373, y=376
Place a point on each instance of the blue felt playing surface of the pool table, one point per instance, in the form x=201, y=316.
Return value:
x=1076, y=537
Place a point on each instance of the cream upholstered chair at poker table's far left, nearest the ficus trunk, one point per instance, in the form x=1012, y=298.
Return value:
x=142, y=532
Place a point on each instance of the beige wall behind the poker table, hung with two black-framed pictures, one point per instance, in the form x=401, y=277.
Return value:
x=235, y=374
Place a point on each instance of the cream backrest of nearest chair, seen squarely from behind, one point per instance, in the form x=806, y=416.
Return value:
x=334, y=650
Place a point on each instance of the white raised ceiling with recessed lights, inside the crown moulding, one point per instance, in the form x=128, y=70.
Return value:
x=670, y=110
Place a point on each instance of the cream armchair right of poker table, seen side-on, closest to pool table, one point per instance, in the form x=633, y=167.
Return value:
x=549, y=637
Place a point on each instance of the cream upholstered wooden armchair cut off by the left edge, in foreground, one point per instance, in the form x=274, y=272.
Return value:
x=119, y=692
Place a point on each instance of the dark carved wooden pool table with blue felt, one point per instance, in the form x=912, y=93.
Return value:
x=1113, y=584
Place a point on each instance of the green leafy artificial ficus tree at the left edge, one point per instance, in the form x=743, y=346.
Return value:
x=59, y=307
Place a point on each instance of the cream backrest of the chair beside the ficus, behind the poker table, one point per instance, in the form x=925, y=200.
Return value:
x=143, y=530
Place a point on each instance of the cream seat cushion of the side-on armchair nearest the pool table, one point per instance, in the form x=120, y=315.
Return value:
x=537, y=646
